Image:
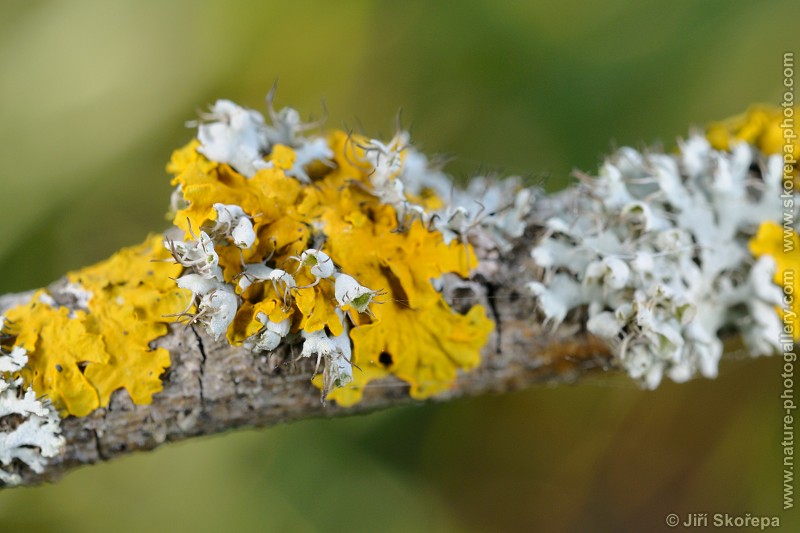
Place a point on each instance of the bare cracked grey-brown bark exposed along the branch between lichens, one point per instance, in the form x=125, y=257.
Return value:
x=213, y=387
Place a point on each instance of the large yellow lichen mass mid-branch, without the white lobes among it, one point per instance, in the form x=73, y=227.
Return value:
x=409, y=332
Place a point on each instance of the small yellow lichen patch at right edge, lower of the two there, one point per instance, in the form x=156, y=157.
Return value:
x=783, y=246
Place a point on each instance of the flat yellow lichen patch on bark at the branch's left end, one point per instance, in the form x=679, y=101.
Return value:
x=77, y=360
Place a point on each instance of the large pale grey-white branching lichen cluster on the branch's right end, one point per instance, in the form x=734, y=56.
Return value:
x=655, y=250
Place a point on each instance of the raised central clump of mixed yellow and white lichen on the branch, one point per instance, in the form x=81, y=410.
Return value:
x=340, y=253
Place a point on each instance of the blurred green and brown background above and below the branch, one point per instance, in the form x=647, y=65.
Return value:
x=94, y=96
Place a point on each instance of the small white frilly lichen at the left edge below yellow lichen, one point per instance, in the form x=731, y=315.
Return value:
x=30, y=430
